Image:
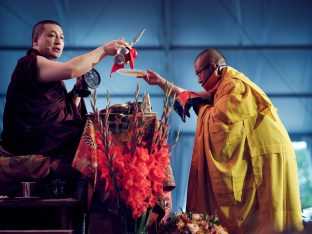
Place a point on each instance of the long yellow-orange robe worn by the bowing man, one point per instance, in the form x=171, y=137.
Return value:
x=243, y=166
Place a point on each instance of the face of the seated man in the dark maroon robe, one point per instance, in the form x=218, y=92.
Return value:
x=50, y=42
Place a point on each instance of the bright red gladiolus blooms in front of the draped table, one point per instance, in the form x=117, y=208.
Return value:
x=139, y=177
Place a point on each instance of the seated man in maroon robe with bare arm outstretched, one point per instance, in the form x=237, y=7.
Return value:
x=40, y=116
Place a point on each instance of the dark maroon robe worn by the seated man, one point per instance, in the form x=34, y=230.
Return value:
x=40, y=118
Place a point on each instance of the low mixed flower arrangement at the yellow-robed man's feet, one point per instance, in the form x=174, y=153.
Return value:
x=188, y=222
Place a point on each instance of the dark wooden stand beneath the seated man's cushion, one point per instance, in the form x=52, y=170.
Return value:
x=32, y=215
